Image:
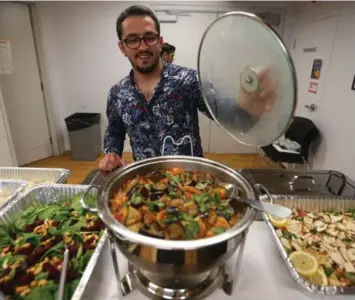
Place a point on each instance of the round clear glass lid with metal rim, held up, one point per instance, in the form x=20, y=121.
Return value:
x=247, y=78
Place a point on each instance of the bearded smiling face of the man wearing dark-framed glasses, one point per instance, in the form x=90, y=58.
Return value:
x=145, y=57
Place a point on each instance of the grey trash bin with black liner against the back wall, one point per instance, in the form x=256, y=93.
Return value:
x=84, y=135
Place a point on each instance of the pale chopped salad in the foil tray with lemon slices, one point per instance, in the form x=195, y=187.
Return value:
x=328, y=237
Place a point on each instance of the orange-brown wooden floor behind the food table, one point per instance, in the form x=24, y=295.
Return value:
x=80, y=169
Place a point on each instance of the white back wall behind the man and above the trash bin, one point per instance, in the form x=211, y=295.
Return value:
x=79, y=42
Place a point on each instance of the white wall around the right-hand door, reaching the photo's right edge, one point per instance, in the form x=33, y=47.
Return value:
x=335, y=116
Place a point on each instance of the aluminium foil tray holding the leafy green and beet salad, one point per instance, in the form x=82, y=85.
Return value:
x=49, y=193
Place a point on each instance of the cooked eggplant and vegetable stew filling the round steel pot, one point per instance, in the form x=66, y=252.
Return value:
x=176, y=204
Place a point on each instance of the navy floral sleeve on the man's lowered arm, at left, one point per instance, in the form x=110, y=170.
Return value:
x=116, y=131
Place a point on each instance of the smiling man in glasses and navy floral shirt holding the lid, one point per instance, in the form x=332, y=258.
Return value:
x=157, y=99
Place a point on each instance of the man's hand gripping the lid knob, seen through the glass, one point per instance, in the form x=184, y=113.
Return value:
x=263, y=99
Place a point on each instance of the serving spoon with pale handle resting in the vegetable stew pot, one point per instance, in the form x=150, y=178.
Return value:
x=273, y=209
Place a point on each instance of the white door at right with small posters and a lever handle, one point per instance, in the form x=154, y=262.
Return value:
x=312, y=41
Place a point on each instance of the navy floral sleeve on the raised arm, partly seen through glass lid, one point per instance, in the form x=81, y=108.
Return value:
x=241, y=119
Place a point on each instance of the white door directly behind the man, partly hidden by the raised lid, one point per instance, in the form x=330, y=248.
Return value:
x=186, y=35
